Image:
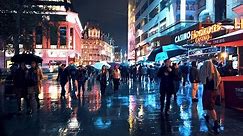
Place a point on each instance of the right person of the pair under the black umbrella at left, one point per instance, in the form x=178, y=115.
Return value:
x=34, y=78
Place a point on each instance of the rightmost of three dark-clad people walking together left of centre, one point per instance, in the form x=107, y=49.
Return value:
x=82, y=78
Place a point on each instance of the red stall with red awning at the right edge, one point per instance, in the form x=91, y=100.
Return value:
x=233, y=85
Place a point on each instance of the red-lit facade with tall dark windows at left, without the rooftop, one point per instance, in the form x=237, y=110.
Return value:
x=61, y=42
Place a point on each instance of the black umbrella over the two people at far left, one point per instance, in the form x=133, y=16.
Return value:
x=27, y=58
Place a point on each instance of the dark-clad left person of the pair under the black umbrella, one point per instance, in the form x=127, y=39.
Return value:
x=20, y=86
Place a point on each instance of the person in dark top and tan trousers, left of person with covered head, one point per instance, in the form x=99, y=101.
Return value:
x=194, y=79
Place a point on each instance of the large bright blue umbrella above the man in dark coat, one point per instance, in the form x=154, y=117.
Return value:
x=171, y=50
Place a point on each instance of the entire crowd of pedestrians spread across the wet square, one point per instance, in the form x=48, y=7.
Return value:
x=172, y=77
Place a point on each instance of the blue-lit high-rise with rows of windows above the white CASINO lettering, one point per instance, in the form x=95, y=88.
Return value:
x=155, y=19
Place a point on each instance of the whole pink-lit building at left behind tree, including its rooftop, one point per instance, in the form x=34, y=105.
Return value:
x=57, y=41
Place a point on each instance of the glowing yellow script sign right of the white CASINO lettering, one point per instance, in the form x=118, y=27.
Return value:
x=205, y=34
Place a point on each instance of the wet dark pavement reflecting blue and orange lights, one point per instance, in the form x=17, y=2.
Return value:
x=132, y=111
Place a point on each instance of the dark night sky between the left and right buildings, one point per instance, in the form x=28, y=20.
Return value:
x=110, y=14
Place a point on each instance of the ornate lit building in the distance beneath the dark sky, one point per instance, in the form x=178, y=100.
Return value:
x=96, y=46
